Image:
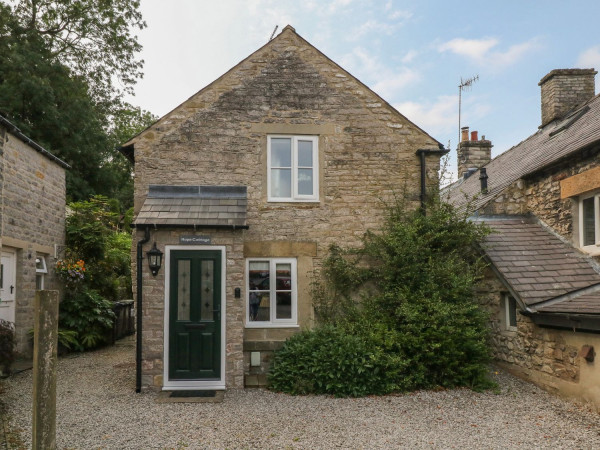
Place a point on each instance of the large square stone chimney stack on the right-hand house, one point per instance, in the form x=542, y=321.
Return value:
x=563, y=90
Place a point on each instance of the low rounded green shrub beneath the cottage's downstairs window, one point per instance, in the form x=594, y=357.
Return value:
x=327, y=360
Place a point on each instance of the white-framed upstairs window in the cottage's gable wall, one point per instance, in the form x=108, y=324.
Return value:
x=293, y=173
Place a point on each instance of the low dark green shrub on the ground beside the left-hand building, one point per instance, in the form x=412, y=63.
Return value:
x=89, y=315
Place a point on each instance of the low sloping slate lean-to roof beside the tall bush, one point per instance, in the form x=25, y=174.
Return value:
x=539, y=266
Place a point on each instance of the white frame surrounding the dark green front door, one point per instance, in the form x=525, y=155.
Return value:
x=173, y=385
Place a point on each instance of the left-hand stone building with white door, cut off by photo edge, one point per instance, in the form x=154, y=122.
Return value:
x=32, y=225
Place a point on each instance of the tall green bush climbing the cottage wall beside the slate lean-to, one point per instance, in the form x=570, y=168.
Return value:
x=408, y=295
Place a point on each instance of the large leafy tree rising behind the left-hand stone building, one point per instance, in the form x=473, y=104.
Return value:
x=67, y=104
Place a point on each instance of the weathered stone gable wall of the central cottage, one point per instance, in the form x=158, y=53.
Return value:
x=219, y=136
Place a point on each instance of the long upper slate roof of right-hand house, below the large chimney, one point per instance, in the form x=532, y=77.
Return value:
x=557, y=140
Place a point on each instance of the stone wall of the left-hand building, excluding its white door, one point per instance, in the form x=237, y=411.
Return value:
x=33, y=222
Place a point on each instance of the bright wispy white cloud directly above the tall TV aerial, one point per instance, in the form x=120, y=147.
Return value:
x=480, y=51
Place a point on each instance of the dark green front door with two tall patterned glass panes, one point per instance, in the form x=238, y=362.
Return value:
x=195, y=315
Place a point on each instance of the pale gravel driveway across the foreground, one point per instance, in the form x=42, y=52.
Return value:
x=98, y=408
